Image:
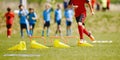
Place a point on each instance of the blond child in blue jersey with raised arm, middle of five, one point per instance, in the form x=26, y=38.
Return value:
x=46, y=17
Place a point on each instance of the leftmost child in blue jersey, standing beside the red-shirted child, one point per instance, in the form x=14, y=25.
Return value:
x=23, y=20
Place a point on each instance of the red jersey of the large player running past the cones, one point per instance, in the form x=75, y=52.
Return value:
x=81, y=6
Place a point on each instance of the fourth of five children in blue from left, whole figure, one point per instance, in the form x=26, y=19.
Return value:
x=58, y=17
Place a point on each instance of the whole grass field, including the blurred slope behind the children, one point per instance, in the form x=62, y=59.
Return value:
x=104, y=26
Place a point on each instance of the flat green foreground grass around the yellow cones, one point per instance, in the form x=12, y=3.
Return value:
x=98, y=52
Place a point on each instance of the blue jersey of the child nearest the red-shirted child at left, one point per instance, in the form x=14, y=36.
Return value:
x=23, y=16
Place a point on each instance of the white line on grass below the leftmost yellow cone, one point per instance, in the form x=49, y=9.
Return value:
x=22, y=55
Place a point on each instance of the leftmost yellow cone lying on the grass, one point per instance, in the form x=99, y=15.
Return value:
x=20, y=46
